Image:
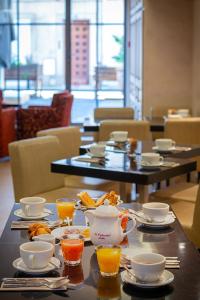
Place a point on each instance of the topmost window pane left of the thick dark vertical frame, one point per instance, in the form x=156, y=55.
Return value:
x=42, y=11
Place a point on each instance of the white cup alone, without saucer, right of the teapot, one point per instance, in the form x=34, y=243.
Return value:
x=155, y=211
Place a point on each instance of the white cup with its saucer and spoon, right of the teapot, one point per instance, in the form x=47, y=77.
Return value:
x=154, y=215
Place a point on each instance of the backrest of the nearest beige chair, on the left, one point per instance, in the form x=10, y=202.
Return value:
x=31, y=166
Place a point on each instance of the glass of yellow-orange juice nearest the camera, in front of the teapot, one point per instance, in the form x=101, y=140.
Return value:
x=108, y=258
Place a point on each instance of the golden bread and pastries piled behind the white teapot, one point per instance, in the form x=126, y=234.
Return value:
x=87, y=201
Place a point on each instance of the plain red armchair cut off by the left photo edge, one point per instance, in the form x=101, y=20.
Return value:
x=7, y=127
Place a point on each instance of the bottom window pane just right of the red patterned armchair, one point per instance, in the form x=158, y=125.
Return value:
x=83, y=105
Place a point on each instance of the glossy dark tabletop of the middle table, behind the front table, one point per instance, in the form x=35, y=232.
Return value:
x=119, y=167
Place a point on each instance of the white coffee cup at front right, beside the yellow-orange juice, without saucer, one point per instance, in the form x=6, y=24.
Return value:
x=148, y=267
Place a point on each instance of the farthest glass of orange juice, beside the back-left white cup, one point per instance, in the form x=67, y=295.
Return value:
x=65, y=209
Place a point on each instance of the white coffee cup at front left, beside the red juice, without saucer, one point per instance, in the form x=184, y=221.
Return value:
x=36, y=255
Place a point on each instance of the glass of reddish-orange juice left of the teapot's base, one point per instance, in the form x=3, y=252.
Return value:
x=72, y=248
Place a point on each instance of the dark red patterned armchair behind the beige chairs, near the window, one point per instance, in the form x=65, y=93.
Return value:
x=33, y=119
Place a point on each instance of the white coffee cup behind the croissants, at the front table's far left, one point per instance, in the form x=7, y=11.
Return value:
x=32, y=206
